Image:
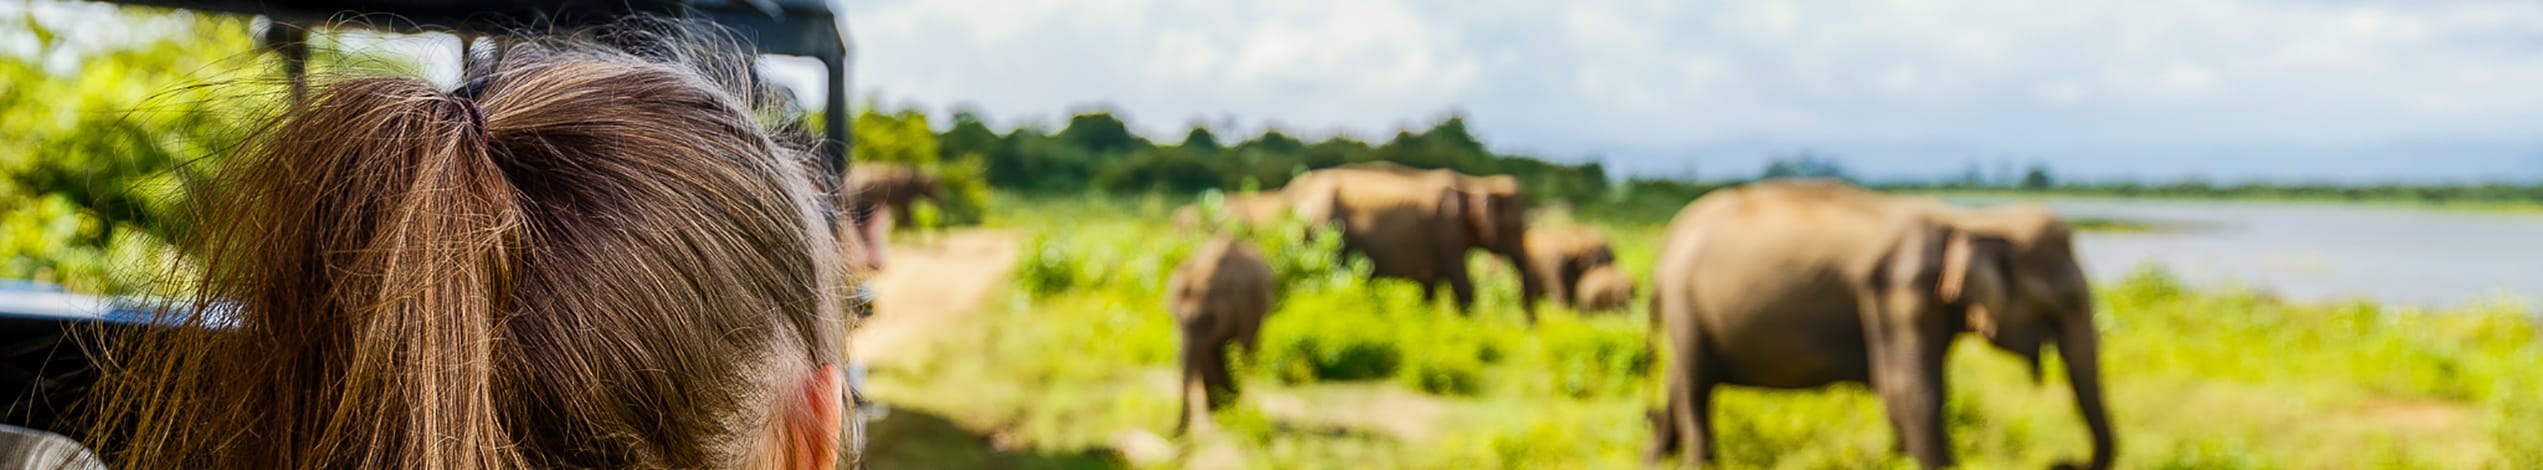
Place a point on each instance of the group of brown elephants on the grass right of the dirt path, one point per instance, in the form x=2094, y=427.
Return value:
x=1779, y=286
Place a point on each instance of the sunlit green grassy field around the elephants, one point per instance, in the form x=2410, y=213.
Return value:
x=1074, y=367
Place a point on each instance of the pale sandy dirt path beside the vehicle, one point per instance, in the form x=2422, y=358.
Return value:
x=929, y=288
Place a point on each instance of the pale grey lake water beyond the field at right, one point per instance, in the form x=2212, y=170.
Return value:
x=2320, y=250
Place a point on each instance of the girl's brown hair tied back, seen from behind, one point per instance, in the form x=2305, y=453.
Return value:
x=586, y=258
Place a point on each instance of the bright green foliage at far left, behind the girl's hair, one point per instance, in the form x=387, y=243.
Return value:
x=106, y=133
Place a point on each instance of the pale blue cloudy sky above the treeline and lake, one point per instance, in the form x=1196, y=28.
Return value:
x=2229, y=90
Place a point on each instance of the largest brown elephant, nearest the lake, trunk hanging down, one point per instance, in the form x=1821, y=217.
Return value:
x=1809, y=283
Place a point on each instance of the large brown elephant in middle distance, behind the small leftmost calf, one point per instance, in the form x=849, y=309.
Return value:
x=1420, y=225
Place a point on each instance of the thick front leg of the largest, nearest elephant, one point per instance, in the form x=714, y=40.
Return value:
x=1909, y=375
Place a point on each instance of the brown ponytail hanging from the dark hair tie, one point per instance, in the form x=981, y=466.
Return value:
x=370, y=248
